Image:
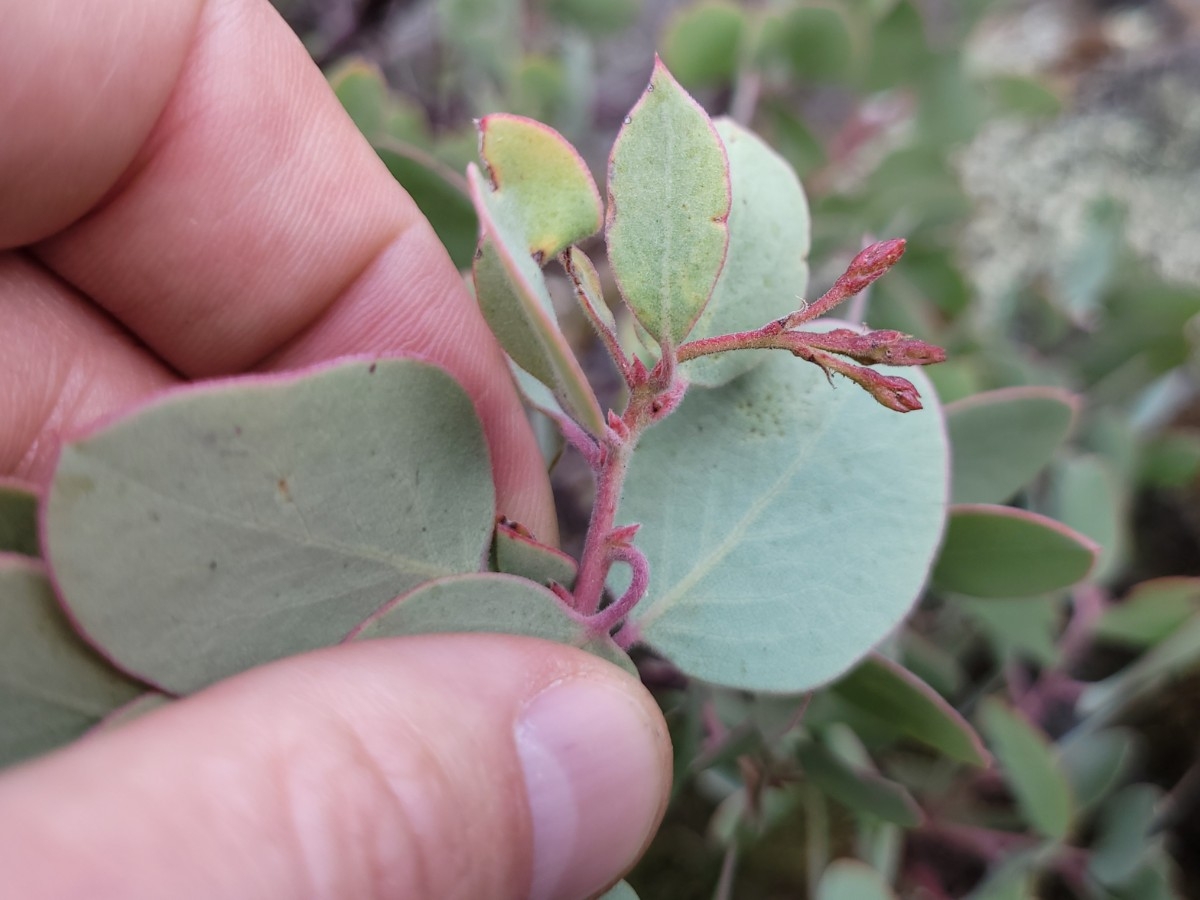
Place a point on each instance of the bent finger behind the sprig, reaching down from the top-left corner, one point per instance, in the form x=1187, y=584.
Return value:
x=205, y=187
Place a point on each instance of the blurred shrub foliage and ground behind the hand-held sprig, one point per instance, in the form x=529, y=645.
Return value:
x=1043, y=160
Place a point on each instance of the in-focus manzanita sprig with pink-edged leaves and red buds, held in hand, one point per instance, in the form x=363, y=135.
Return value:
x=770, y=499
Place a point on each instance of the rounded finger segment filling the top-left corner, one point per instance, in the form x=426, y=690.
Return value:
x=83, y=86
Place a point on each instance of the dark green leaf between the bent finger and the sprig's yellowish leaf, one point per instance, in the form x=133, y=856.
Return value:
x=440, y=193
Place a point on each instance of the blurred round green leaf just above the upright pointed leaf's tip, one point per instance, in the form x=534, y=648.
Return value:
x=703, y=43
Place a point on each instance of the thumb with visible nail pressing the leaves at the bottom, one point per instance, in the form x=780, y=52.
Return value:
x=449, y=766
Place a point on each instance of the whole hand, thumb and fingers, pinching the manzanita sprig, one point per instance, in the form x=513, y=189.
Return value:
x=183, y=197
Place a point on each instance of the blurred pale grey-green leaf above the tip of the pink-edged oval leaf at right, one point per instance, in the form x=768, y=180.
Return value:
x=1089, y=497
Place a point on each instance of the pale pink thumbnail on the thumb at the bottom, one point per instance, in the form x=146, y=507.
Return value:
x=596, y=770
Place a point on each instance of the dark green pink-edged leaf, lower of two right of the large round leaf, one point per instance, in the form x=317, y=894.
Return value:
x=1004, y=553
